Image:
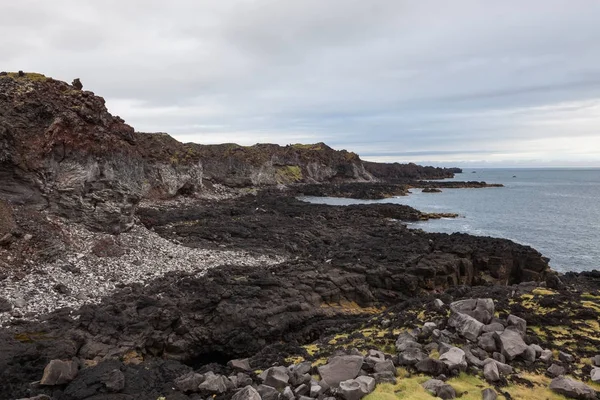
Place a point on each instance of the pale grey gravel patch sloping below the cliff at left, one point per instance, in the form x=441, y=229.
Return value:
x=82, y=277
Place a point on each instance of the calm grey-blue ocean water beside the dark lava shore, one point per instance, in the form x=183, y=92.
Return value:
x=555, y=211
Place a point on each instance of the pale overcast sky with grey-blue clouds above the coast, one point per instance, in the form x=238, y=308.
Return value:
x=475, y=81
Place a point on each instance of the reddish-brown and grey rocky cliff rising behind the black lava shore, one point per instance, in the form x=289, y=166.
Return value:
x=62, y=150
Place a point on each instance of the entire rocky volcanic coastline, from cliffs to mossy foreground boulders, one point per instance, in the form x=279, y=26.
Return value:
x=133, y=266
